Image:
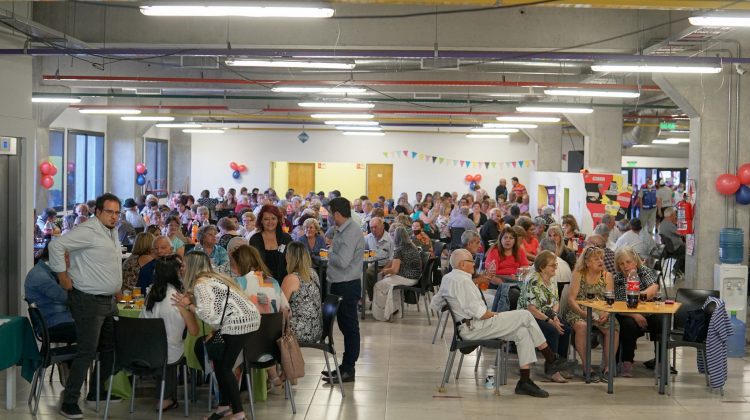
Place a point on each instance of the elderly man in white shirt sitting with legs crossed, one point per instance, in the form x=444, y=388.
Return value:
x=465, y=300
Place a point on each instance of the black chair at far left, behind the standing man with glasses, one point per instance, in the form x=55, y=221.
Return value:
x=50, y=355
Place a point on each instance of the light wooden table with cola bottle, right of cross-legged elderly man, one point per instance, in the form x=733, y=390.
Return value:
x=645, y=308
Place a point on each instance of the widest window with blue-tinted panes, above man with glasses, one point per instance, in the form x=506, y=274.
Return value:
x=85, y=169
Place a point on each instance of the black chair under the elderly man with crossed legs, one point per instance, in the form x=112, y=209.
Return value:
x=468, y=346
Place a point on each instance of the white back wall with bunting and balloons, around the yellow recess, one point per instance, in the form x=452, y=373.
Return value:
x=211, y=155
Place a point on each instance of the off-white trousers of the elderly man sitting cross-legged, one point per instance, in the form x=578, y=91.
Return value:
x=517, y=326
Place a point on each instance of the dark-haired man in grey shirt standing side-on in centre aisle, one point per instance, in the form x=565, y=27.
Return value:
x=345, y=276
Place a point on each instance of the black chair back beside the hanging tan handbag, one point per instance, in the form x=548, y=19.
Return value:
x=260, y=347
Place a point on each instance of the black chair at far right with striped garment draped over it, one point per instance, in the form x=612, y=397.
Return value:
x=690, y=299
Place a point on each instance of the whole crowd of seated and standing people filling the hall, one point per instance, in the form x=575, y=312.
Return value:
x=253, y=253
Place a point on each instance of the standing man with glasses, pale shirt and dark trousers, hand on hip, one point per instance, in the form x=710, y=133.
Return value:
x=93, y=280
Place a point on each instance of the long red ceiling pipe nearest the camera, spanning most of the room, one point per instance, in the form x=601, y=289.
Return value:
x=463, y=83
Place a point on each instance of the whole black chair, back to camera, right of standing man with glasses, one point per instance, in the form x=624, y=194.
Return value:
x=137, y=359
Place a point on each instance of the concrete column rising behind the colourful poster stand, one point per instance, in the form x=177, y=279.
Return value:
x=602, y=132
